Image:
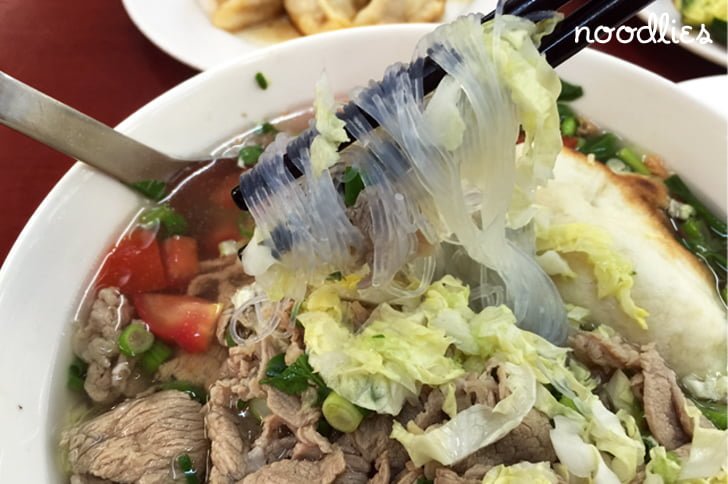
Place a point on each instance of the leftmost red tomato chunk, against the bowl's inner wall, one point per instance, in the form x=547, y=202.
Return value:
x=134, y=265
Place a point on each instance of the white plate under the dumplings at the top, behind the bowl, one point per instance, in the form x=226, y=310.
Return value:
x=183, y=30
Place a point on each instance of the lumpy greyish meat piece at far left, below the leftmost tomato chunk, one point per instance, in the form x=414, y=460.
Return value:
x=95, y=341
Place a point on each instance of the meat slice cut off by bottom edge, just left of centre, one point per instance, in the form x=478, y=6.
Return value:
x=324, y=471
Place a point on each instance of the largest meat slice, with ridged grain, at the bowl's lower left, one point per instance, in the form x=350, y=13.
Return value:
x=138, y=440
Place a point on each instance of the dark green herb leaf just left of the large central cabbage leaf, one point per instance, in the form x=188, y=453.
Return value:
x=294, y=379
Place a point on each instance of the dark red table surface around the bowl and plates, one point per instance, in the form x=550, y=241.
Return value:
x=88, y=54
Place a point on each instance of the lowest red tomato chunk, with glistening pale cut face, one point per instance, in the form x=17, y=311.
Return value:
x=185, y=320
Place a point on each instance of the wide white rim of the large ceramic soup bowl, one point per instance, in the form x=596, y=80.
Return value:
x=60, y=248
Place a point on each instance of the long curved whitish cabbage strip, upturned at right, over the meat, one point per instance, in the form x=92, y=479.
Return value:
x=474, y=427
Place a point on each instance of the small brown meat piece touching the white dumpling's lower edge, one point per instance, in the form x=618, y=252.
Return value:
x=597, y=351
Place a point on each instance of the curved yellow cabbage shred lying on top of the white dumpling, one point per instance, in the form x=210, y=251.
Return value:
x=612, y=270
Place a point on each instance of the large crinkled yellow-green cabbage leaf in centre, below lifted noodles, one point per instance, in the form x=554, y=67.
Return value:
x=381, y=366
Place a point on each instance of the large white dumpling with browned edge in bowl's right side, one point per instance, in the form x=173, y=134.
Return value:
x=686, y=319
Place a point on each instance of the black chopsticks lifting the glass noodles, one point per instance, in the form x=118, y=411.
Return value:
x=557, y=47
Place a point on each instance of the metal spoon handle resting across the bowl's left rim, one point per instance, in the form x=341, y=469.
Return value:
x=71, y=132
